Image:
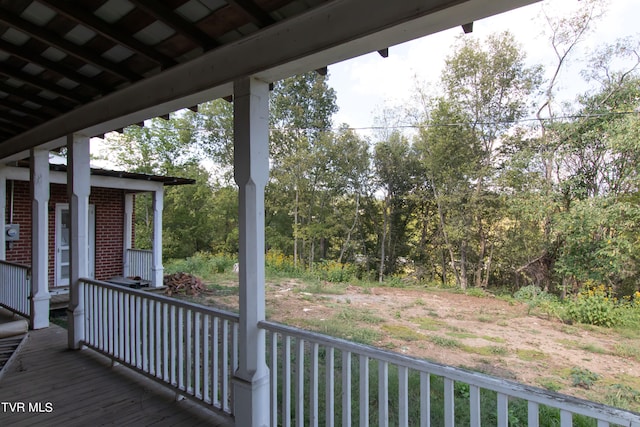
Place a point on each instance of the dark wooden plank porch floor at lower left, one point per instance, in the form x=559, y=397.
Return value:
x=80, y=388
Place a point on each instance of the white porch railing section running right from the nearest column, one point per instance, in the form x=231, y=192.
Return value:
x=382, y=388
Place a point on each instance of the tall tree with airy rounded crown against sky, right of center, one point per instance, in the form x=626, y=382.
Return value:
x=490, y=84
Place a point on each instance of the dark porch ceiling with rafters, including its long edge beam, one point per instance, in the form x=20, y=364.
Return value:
x=93, y=66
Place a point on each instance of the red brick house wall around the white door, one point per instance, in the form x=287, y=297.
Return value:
x=109, y=227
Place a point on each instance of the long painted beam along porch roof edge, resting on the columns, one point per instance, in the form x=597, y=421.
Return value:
x=327, y=34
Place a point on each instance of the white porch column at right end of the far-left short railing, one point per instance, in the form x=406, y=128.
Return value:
x=39, y=182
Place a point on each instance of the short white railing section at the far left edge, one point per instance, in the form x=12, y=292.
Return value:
x=15, y=288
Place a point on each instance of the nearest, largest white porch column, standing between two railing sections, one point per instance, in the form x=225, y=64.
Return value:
x=251, y=170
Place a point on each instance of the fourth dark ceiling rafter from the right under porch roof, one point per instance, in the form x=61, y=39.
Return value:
x=52, y=39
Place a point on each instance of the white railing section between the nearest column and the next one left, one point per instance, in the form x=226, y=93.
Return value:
x=189, y=347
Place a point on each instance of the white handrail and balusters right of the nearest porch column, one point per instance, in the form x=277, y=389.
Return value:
x=307, y=344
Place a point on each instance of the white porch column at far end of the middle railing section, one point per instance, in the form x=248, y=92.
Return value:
x=78, y=188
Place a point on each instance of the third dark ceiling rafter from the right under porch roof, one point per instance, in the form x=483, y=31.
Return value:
x=76, y=12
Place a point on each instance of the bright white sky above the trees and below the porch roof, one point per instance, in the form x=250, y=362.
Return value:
x=366, y=84
